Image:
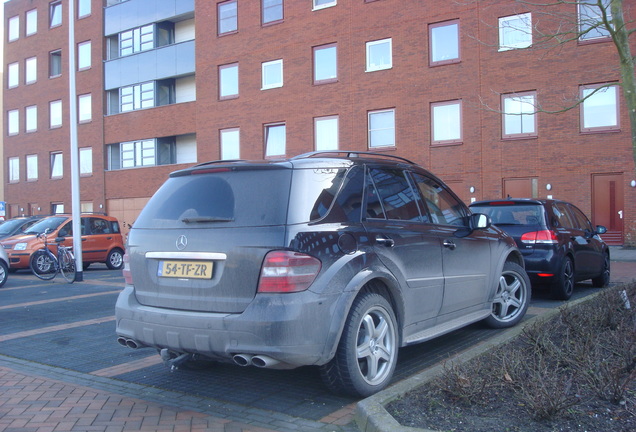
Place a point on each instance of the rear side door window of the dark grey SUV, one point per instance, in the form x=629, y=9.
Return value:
x=394, y=193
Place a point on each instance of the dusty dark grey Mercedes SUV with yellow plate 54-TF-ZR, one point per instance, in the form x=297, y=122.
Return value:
x=334, y=260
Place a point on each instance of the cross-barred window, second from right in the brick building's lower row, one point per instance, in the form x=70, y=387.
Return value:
x=519, y=117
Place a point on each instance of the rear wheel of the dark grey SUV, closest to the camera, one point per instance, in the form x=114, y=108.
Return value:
x=367, y=352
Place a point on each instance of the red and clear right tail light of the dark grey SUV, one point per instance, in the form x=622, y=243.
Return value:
x=286, y=271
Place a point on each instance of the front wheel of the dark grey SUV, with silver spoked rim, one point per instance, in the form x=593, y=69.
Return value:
x=511, y=298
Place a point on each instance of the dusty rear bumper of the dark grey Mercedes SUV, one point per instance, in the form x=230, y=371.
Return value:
x=295, y=329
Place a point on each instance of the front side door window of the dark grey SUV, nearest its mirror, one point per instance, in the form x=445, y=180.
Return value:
x=443, y=207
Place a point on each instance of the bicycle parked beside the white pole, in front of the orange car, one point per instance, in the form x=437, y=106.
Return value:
x=46, y=265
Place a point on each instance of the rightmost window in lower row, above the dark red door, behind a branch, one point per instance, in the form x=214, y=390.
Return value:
x=599, y=112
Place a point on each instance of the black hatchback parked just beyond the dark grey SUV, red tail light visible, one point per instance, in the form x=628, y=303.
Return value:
x=558, y=242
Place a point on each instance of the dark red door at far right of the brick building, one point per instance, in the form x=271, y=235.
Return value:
x=607, y=206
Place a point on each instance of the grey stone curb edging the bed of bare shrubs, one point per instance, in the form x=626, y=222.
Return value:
x=371, y=414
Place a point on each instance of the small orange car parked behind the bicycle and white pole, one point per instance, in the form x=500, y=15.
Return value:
x=101, y=240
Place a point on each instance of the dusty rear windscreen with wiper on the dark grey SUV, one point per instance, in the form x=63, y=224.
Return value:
x=228, y=198
